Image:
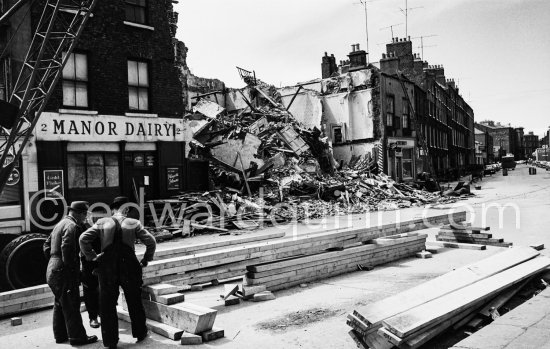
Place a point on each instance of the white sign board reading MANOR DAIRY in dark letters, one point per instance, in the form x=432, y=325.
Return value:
x=106, y=128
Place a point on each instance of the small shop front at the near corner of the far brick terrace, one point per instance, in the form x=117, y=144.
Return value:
x=401, y=158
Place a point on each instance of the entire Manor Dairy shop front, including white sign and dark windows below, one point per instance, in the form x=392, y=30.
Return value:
x=96, y=158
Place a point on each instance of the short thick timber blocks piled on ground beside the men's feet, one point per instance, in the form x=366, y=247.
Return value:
x=170, y=316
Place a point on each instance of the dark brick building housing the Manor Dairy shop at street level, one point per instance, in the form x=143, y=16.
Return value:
x=113, y=125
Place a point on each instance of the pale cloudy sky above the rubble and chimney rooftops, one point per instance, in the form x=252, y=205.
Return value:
x=498, y=51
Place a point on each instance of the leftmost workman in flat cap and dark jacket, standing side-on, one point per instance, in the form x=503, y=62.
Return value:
x=62, y=275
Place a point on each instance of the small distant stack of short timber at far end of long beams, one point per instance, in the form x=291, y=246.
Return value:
x=470, y=235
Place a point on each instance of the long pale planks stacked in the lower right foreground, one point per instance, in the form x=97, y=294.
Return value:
x=413, y=317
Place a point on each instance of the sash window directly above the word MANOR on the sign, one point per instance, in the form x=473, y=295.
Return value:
x=75, y=81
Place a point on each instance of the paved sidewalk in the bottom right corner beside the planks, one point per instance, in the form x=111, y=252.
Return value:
x=525, y=327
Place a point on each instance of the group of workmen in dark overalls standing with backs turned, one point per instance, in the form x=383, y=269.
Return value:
x=106, y=250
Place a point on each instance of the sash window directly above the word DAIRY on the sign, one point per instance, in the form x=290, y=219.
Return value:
x=138, y=85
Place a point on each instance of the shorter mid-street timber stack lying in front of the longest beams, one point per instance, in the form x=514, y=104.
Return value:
x=293, y=271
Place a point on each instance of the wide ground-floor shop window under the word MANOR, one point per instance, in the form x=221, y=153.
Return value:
x=92, y=170
